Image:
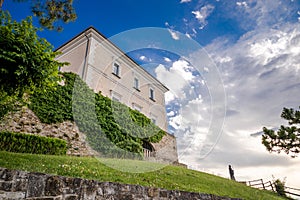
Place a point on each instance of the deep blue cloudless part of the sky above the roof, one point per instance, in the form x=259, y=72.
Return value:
x=113, y=17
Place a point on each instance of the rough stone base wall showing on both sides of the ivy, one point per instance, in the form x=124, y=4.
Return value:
x=25, y=121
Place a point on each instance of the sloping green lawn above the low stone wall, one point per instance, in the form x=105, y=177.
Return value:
x=168, y=177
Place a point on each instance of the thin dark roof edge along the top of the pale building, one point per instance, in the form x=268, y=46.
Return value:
x=110, y=42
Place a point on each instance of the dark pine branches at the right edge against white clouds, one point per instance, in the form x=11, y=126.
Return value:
x=287, y=138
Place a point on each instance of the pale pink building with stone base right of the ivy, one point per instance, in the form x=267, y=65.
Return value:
x=107, y=69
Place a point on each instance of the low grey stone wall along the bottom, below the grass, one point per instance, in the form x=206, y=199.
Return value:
x=17, y=185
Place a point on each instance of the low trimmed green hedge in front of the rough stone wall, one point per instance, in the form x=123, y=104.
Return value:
x=25, y=143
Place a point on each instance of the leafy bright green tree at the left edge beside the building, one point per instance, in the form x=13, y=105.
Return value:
x=26, y=61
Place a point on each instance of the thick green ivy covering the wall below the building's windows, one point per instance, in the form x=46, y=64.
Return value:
x=111, y=128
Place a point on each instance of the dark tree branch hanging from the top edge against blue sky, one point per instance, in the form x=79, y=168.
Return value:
x=51, y=12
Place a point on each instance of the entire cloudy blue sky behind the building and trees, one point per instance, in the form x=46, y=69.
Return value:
x=253, y=49
